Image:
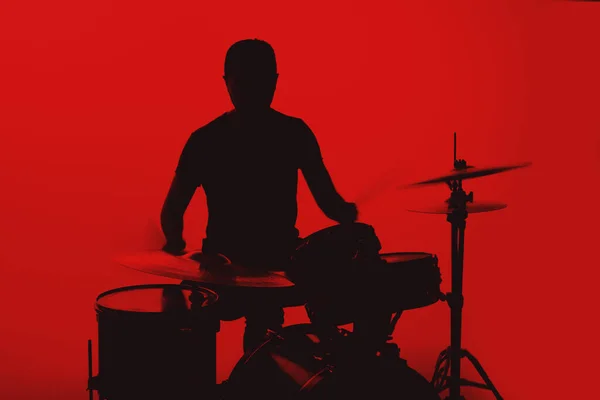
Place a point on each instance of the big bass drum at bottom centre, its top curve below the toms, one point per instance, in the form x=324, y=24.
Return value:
x=299, y=363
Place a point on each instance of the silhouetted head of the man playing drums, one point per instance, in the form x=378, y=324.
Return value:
x=251, y=74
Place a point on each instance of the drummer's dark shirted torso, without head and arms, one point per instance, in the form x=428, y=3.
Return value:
x=249, y=172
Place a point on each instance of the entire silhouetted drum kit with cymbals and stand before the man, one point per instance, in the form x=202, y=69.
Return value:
x=159, y=341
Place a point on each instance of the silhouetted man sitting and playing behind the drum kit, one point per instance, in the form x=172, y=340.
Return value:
x=247, y=161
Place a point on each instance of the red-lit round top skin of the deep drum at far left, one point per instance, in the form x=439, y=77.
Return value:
x=154, y=299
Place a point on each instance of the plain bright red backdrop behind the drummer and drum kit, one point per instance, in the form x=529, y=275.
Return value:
x=98, y=99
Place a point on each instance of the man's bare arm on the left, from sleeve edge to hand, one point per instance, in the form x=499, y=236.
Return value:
x=171, y=217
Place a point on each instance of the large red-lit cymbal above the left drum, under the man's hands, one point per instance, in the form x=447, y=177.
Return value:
x=202, y=269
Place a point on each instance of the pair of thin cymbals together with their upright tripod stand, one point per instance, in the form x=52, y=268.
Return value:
x=447, y=373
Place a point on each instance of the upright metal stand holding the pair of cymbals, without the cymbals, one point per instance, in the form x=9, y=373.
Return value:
x=447, y=369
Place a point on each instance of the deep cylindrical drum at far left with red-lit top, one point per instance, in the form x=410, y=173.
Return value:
x=156, y=342
